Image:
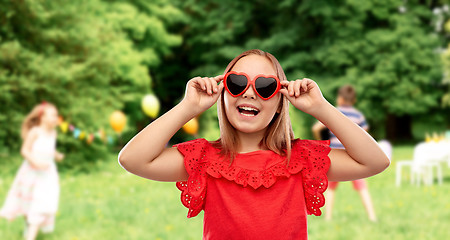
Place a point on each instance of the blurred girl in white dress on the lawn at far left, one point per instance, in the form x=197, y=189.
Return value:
x=35, y=190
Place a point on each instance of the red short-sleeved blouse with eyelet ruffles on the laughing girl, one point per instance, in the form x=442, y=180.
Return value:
x=258, y=196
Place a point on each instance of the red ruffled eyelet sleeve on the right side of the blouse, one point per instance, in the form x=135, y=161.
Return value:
x=314, y=157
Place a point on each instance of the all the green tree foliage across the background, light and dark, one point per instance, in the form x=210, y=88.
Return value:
x=93, y=57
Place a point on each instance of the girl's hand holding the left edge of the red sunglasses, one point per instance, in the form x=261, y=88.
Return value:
x=202, y=93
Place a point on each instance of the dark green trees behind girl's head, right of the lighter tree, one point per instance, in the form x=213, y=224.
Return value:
x=386, y=49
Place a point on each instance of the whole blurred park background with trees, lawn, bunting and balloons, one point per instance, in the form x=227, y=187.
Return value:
x=112, y=66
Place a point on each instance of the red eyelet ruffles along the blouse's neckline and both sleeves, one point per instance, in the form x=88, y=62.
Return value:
x=308, y=157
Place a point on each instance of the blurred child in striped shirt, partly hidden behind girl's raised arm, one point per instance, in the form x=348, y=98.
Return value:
x=345, y=101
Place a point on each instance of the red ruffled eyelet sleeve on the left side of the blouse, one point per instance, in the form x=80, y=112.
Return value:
x=194, y=189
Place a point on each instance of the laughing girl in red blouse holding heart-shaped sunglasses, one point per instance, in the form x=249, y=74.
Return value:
x=256, y=181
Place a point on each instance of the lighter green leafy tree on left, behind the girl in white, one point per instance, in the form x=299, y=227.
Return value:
x=87, y=57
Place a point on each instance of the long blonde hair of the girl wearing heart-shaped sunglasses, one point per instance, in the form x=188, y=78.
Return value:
x=279, y=133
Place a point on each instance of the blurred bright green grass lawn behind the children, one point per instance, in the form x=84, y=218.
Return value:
x=112, y=204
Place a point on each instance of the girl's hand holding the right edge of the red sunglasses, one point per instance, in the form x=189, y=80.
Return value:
x=304, y=94
